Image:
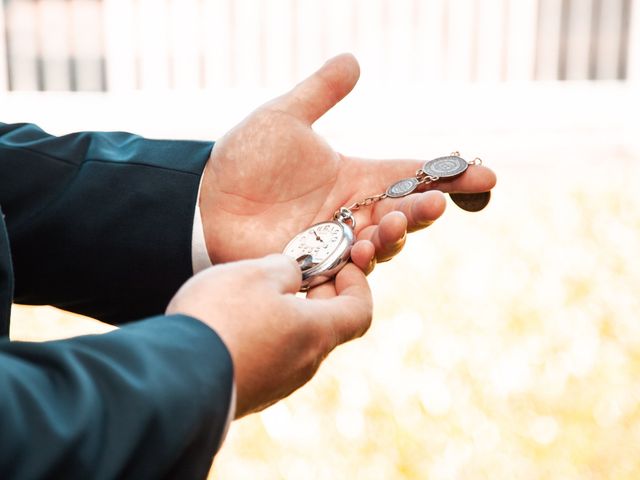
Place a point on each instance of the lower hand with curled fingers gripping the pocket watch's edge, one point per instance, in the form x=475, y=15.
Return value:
x=276, y=340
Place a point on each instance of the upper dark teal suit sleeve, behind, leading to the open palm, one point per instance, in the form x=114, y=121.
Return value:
x=99, y=223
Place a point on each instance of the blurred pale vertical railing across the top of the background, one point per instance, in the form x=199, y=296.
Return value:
x=122, y=45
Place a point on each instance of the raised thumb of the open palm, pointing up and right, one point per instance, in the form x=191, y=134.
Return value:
x=315, y=95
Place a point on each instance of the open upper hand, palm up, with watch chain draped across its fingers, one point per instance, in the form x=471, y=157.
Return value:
x=272, y=176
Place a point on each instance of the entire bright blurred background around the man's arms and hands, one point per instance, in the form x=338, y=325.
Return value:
x=505, y=344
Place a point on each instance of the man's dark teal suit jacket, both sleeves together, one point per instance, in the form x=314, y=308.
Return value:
x=100, y=224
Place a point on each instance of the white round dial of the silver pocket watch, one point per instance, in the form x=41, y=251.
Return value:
x=319, y=241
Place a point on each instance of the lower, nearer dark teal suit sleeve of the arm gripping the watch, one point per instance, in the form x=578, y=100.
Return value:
x=146, y=401
